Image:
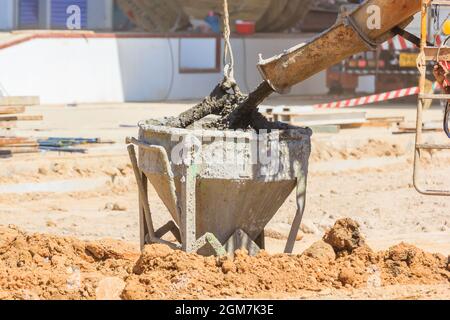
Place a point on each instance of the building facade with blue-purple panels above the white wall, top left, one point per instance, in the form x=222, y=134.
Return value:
x=54, y=14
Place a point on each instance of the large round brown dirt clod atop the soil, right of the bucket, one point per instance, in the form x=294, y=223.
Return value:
x=345, y=236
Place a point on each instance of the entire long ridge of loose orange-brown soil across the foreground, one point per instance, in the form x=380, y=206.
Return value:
x=49, y=267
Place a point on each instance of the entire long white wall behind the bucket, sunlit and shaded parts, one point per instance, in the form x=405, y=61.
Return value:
x=129, y=69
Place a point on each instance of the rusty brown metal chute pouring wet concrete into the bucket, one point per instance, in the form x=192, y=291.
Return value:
x=339, y=42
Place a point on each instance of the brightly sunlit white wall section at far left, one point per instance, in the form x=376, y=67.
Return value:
x=63, y=70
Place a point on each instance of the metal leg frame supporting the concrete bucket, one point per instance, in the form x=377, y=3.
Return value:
x=185, y=233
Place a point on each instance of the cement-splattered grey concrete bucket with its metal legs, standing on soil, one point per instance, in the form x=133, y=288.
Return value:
x=221, y=187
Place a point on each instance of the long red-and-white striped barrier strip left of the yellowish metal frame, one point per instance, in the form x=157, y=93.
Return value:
x=391, y=95
